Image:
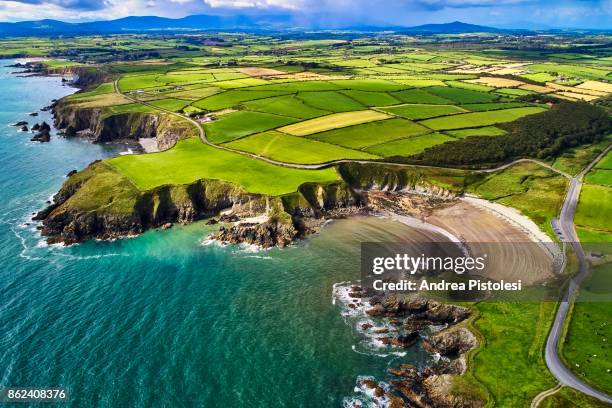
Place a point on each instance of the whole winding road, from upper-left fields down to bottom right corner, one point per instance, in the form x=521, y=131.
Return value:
x=564, y=228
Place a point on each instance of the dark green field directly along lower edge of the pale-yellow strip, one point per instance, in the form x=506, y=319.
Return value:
x=360, y=136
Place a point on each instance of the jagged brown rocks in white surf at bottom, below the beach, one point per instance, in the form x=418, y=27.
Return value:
x=402, y=321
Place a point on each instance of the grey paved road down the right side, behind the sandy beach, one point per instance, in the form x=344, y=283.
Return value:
x=564, y=227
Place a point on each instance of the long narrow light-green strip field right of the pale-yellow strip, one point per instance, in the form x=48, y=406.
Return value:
x=477, y=119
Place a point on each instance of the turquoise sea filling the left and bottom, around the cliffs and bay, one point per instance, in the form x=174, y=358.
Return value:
x=167, y=319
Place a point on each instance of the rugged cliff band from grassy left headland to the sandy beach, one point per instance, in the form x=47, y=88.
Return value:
x=100, y=203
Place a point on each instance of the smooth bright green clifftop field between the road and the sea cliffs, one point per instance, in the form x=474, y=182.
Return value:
x=192, y=160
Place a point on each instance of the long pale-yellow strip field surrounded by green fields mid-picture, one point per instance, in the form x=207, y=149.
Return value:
x=334, y=121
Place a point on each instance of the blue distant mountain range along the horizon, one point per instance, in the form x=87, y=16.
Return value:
x=211, y=23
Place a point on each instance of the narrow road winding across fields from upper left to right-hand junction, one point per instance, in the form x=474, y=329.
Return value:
x=204, y=139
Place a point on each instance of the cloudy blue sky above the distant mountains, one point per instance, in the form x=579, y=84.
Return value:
x=334, y=13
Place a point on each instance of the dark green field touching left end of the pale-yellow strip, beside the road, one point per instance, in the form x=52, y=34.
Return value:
x=238, y=124
